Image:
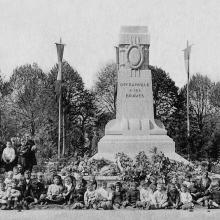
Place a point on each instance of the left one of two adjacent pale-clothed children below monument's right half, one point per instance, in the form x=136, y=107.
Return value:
x=146, y=195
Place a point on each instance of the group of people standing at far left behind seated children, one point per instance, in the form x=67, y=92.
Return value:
x=18, y=151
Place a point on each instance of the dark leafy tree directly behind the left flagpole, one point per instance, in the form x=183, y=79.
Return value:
x=78, y=104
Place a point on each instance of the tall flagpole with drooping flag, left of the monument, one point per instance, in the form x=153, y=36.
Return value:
x=60, y=48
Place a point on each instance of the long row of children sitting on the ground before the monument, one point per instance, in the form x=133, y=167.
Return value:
x=20, y=190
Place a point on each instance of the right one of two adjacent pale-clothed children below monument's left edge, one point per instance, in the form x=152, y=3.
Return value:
x=103, y=197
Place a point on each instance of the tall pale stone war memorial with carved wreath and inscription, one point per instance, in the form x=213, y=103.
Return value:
x=135, y=128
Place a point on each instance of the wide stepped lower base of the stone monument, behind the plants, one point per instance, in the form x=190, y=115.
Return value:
x=110, y=145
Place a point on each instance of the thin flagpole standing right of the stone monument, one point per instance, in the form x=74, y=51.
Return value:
x=188, y=125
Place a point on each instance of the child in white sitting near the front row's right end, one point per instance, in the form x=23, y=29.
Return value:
x=185, y=198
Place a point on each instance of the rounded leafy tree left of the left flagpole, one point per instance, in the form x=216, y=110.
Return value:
x=26, y=102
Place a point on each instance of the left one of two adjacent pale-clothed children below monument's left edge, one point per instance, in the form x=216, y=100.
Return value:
x=90, y=197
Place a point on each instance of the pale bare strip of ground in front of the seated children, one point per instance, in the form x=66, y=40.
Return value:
x=110, y=215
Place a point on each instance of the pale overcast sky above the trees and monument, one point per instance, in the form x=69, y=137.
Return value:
x=90, y=29
